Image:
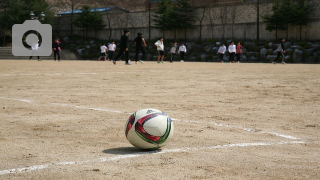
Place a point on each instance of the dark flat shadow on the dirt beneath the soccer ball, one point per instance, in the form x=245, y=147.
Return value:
x=129, y=150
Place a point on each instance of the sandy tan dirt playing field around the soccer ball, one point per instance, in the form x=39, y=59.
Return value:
x=65, y=120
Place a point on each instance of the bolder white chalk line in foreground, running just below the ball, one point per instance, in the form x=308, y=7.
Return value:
x=133, y=155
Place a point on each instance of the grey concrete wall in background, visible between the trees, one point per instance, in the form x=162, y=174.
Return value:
x=220, y=22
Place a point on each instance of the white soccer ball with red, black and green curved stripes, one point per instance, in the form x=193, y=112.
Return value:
x=149, y=129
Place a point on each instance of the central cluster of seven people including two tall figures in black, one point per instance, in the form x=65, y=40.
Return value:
x=140, y=45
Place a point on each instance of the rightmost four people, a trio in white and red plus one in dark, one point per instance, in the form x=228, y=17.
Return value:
x=236, y=51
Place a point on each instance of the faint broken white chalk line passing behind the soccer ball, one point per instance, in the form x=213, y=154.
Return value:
x=189, y=121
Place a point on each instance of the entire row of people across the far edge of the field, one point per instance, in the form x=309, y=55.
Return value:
x=140, y=43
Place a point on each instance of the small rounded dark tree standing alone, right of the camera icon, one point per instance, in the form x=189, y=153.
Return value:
x=89, y=19
